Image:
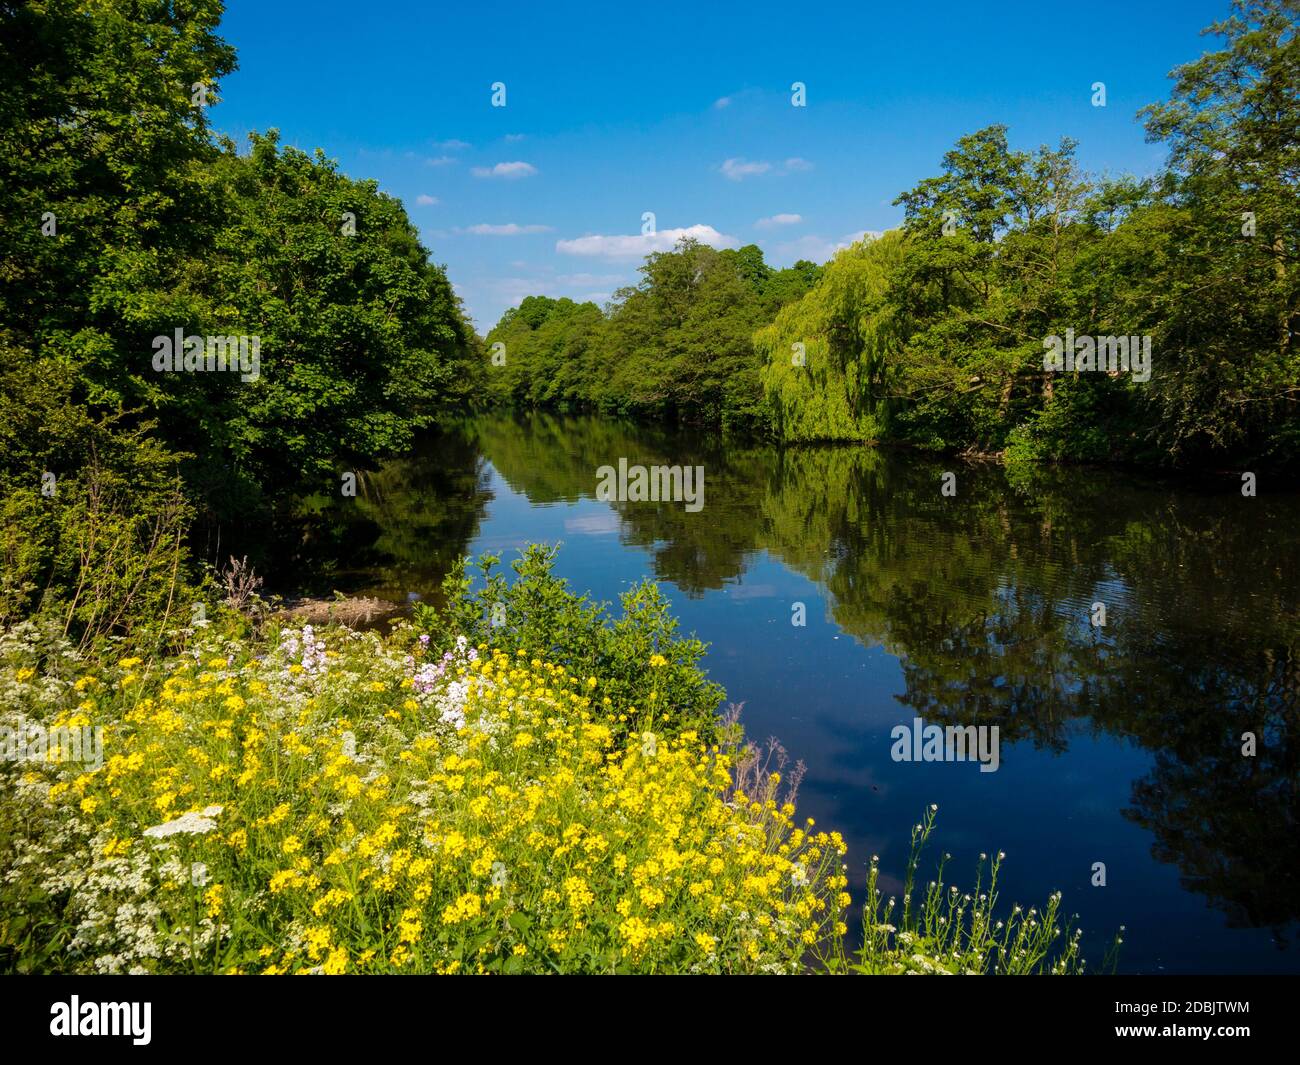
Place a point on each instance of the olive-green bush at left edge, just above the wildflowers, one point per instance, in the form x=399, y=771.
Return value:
x=93, y=519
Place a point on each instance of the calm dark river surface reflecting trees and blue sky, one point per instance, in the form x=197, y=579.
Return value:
x=1119, y=744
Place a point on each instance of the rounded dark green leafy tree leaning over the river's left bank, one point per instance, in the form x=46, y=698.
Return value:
x=362, y=337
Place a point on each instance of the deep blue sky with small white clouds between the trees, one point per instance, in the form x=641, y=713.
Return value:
x=683, y=111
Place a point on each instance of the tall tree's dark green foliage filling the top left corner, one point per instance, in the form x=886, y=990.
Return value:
x=101, y=129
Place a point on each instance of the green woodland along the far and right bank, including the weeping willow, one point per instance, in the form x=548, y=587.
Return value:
x=933, y=335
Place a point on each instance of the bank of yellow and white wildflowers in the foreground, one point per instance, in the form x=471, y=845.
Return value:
x=344, y=803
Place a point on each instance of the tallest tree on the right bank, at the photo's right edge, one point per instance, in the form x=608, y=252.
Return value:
x=1229, y=296
